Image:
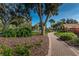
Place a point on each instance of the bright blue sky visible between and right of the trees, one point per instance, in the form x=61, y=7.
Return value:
x=66, y=10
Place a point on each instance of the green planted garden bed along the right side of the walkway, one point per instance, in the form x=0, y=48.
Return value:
x=69, y=37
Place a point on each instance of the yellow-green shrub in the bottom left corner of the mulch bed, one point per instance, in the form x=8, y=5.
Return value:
x=6, y=51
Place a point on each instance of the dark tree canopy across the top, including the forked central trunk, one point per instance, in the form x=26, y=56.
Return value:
x=10, y=11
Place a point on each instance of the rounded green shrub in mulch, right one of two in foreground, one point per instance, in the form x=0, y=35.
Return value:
x=22, y=50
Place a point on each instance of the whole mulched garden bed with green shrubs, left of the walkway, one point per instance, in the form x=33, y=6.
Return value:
x=34, y=46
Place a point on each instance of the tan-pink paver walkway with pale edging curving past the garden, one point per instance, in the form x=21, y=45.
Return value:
x=58, y=48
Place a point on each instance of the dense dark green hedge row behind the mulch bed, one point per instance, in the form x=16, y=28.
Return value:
x=18, y=32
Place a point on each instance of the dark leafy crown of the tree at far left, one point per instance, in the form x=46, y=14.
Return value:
x=13, y=14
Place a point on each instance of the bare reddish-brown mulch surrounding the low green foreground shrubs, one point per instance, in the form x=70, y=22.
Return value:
x=37, y=51
